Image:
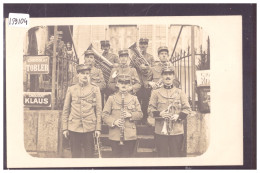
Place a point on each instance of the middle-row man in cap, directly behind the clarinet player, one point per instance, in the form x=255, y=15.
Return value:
x=124, y=68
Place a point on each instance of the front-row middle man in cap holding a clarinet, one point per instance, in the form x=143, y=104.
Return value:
x=120, y=111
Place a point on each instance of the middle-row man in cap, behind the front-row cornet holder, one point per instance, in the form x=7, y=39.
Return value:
x=163, y=54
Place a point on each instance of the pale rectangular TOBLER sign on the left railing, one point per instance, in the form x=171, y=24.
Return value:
x=37, y=64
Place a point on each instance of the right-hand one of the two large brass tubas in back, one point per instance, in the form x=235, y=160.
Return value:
x=139, y=58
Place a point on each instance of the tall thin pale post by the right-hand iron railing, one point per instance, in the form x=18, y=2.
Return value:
x=192, y=67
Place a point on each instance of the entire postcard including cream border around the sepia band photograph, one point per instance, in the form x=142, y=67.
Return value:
x=126, y=91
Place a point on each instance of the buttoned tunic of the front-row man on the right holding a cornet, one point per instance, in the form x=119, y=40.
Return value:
x=160, y=100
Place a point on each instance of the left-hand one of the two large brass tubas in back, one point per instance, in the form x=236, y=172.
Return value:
x=104, y=64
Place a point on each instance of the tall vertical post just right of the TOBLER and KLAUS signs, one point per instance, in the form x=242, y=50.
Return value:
x=53, y=85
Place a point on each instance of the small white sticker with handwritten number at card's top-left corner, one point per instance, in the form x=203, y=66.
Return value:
x=18, y=20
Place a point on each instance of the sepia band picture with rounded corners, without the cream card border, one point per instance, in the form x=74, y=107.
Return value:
x=116, y=91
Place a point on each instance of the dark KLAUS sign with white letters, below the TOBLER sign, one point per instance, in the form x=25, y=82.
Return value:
x=37, y=99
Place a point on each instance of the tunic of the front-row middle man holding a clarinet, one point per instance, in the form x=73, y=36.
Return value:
x=112, y=112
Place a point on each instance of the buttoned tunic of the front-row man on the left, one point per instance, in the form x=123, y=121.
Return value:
x=82, y=109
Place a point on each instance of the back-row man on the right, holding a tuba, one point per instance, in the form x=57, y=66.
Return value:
x=144, y=75
